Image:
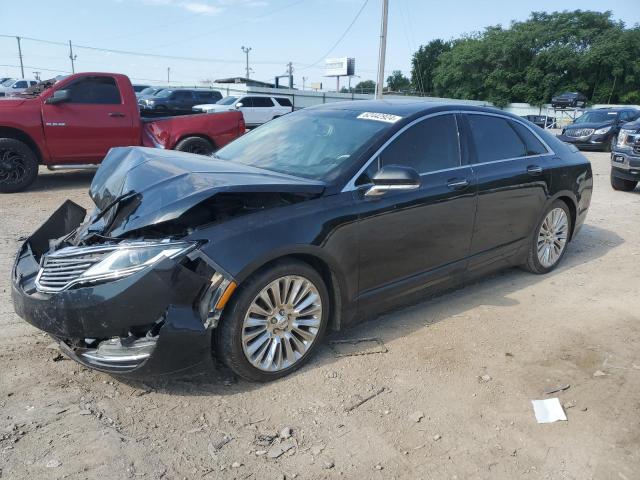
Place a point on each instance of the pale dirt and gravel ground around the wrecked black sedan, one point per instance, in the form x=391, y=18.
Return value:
x=450, y=398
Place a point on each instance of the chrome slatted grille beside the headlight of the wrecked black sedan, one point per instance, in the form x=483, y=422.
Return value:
x=60, y=270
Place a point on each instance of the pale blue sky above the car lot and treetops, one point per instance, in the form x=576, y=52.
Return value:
x=211, y=33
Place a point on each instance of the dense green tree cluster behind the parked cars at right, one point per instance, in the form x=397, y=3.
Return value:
x=533, y=60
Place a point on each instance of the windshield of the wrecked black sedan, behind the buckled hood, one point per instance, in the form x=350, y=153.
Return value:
x=314, y=144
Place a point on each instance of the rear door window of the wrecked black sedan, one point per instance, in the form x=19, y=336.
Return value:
x=495, y=139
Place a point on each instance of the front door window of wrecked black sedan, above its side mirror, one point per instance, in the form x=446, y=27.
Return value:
x=428, y=146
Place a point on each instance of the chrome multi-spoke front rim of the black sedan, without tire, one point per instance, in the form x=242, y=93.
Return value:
x=282, y=323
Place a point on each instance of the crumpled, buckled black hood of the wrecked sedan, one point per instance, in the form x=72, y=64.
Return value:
x=168, y=183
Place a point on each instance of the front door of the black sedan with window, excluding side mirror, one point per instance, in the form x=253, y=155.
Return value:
x=411, y=239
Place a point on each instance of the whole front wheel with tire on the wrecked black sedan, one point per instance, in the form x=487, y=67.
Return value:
x=242, y=346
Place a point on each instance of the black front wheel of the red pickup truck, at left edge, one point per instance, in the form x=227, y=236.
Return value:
x=18, y=165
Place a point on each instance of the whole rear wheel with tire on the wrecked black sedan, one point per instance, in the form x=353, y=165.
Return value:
x=537, y=262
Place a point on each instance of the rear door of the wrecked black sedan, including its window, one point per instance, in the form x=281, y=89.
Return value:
x=512, y=169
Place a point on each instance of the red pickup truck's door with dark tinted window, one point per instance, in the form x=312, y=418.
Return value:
x=83, y=129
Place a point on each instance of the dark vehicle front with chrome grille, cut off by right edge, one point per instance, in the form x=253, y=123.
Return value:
x=625, y=158
